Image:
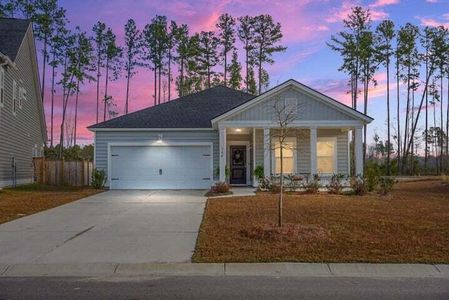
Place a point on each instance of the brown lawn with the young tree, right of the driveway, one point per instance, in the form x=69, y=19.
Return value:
x=410, y=225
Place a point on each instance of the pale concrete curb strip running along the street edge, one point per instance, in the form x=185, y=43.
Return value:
x=229, y=269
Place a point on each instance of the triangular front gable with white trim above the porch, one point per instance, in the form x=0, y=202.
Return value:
x=311, y=105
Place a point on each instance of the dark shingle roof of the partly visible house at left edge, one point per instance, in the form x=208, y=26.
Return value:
x=12, y=32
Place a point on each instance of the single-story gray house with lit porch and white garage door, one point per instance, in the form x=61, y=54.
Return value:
x=189, y=142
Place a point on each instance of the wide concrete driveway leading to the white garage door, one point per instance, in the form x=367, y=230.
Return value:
x=115, y=226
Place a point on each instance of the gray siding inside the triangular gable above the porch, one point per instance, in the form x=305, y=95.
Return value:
x=308, y=108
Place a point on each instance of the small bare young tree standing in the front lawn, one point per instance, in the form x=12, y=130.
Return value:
x=284, y=113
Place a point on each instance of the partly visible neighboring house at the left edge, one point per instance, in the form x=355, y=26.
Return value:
x=22, y=123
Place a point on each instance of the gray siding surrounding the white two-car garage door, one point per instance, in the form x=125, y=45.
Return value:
x=102, y=138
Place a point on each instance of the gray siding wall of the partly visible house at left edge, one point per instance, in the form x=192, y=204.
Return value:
x=20, y=133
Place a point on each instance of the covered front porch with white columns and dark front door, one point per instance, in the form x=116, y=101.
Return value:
x=323, y=150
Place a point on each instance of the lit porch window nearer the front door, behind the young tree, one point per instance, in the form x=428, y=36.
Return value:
x=288, y=156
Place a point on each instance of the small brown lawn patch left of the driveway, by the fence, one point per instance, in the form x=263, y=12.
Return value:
x=30, y=199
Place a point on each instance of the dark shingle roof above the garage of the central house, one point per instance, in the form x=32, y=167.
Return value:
x=191, y=111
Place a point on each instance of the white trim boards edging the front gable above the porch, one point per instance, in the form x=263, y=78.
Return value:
x=302, y=88
